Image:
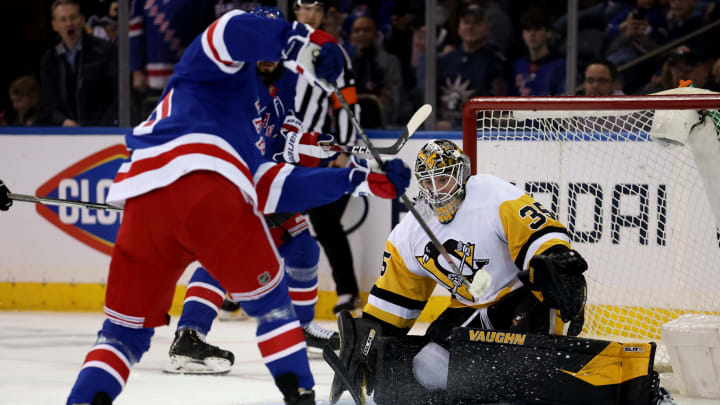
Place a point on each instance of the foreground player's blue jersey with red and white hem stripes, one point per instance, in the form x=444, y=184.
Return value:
x=205, y=121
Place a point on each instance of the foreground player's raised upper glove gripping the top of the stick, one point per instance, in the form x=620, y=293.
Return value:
x=315, y=55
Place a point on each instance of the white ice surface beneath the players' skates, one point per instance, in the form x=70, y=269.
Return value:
x=41, y=354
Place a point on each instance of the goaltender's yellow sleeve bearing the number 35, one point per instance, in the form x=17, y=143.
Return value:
x=525, y=221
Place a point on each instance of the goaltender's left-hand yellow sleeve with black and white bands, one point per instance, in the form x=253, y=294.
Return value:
x=399, y=294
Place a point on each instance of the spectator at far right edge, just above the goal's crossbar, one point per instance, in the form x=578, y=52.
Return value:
x=691, y=65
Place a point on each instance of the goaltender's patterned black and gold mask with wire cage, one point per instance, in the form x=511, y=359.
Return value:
x=441, y=171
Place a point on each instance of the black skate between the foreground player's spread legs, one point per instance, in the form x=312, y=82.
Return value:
x=190, y=354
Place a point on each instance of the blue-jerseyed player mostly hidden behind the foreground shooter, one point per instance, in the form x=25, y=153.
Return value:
x=189, y=352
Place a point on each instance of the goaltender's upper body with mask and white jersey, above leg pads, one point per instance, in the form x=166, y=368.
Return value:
x=491, y=229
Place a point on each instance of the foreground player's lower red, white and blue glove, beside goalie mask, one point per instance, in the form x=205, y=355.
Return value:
x=367, y=178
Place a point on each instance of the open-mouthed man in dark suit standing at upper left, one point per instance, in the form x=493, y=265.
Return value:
x=78, y=75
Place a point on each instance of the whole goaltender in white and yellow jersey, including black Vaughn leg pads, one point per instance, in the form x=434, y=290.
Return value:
x=511, y=336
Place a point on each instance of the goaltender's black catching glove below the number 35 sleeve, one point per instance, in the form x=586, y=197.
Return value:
x=556, y=279
